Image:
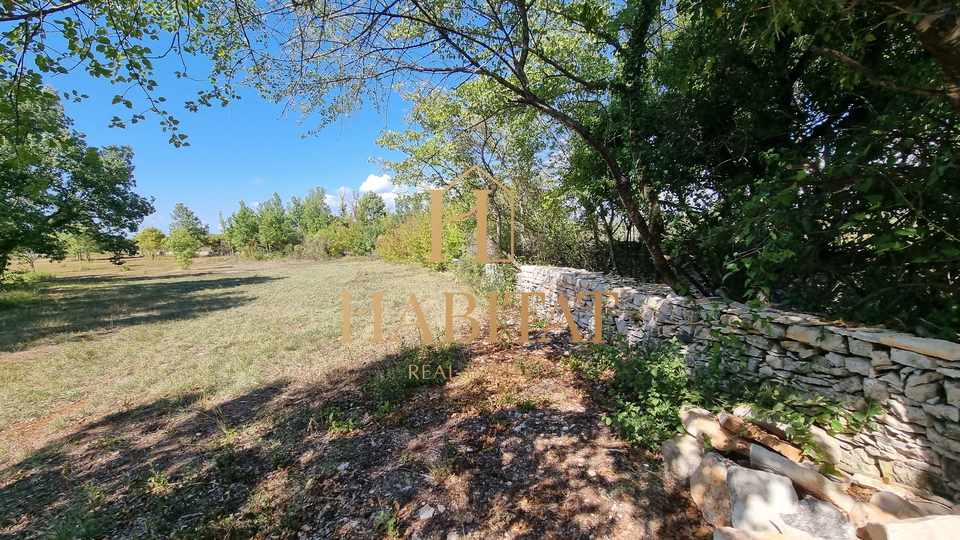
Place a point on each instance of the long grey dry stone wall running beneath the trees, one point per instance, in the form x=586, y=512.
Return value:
x=916, y=380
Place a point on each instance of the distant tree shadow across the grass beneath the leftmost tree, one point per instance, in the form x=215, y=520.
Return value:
x=119, y=301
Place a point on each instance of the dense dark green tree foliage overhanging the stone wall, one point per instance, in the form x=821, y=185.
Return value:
x=792, y=175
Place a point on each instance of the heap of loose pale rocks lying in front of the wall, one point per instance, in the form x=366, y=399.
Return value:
x=766, y=494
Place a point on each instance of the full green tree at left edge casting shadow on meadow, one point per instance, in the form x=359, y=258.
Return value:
x=53, y=185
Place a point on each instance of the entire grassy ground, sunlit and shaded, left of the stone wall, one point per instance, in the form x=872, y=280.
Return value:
x=216, y=402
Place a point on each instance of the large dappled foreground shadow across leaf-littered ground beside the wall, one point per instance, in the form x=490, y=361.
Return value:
x=355, y=457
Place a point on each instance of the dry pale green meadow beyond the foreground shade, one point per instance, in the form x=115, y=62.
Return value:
x=100, y=335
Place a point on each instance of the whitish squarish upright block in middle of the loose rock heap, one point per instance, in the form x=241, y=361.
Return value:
x=758, y=498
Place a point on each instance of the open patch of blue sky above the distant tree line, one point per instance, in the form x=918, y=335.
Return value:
x=244, y=151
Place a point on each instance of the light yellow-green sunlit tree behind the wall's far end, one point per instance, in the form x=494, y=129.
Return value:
x=450, y=131
